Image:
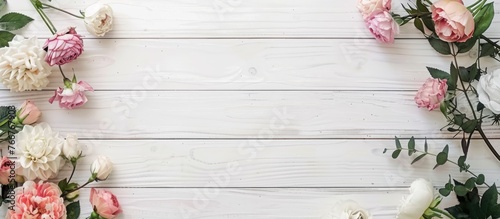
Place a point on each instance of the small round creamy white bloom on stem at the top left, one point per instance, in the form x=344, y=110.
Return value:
x=98, y=19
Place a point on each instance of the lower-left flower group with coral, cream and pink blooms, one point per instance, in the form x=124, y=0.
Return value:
x=40, y=153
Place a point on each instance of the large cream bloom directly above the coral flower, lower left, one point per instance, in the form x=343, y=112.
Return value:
x=39, y=150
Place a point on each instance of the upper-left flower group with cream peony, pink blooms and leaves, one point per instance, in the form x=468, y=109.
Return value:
x=25, y=64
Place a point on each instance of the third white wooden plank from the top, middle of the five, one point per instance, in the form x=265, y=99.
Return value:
x=253, y=114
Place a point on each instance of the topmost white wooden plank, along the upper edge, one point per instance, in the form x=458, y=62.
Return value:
x=223, y=18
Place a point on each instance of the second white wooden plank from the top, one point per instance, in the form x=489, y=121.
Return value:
x=156, y=64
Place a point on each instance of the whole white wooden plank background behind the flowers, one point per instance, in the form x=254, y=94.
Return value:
x=249, y=108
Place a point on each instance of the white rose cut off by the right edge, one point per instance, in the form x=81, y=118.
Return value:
x=488, y=91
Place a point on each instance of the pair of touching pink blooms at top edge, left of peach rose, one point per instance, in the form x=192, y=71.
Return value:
x=377, y=17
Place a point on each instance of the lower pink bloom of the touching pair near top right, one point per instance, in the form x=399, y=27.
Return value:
x=382, y=26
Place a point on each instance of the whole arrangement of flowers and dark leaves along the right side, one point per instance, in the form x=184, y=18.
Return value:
x=467, y=96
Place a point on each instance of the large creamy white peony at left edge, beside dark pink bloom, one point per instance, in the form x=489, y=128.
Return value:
x=22, y=65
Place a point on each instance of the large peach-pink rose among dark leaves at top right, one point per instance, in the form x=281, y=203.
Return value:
x=453, y=21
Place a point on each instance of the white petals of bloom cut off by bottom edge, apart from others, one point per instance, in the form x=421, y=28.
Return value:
x=348, y=209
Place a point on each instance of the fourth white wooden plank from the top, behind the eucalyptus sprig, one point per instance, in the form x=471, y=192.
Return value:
x=279, y=163
